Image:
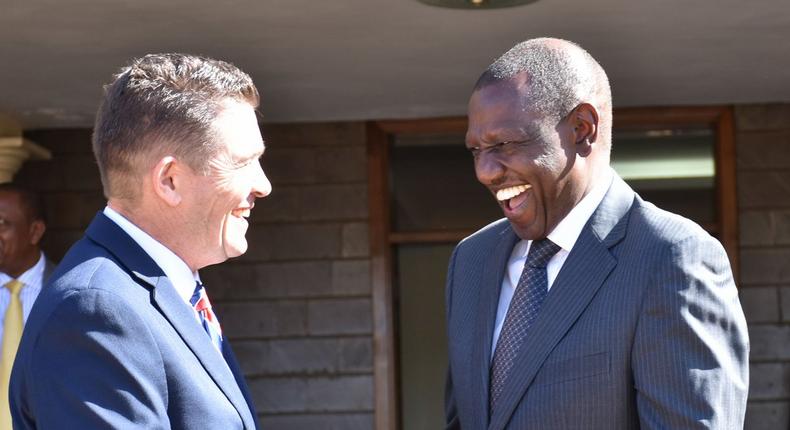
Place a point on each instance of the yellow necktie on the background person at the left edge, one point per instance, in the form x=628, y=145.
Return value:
x=12, y=332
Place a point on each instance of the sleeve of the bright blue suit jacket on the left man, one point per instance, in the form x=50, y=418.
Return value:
x=95, y=365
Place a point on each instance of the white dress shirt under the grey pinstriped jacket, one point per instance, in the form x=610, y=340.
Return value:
x=564, y=235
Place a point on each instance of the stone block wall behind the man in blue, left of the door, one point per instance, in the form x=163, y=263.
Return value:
x=297, y=307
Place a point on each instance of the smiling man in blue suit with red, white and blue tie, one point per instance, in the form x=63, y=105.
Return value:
x=114, y=341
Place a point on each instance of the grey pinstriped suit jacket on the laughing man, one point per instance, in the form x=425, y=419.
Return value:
x=642, y=328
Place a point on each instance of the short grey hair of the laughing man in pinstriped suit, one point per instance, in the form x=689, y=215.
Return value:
x=561, y=74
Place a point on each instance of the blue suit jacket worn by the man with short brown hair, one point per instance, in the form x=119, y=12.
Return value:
x=110, y=344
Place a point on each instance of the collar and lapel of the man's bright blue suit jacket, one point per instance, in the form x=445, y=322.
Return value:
x=128, y=253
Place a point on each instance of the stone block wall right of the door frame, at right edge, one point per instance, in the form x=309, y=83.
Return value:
x=763, y=168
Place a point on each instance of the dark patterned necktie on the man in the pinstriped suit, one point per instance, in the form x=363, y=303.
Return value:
x=523, y=310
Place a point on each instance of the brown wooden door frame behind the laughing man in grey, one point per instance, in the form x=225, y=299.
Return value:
x=379, y=135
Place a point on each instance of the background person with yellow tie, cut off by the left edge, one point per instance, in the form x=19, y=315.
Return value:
x=23, y=270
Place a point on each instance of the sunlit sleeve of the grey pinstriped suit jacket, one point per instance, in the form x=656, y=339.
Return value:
x=690, y=353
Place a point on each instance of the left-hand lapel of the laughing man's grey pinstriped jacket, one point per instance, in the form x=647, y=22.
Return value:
x=489, y=289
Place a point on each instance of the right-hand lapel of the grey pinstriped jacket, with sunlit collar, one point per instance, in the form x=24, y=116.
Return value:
x=585, y=270
